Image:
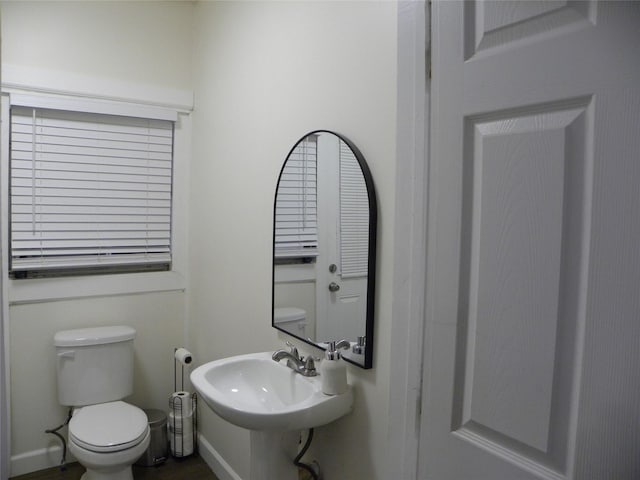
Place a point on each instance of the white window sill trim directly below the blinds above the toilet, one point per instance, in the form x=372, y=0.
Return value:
x=51, y=289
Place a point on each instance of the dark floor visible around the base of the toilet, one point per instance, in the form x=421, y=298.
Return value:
x=189, y=468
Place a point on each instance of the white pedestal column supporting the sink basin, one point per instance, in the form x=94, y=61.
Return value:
x=272, y=454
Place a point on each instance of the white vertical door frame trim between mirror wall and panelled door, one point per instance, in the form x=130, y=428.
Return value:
x=410, y=240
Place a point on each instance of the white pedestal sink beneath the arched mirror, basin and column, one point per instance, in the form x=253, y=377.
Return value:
x=272, y=401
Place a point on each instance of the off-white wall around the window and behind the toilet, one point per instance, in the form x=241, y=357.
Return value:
x=120, y=49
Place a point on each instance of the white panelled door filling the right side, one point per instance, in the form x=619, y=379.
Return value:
x=532, y=339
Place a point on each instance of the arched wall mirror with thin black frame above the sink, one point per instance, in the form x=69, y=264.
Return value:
x=324, y=245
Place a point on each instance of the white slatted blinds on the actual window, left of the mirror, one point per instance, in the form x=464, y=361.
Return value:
x=89, y=190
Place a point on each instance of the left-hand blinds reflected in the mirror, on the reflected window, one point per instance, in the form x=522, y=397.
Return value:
x=296, y=222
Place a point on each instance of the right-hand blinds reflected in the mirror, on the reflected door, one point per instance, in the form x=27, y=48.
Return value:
x=354, y=216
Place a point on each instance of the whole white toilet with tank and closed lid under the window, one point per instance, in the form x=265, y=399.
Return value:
x=95, y=372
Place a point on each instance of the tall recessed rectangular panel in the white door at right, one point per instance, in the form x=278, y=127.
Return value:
x=524, y=176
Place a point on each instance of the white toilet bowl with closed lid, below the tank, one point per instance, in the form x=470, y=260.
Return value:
x=108, y=438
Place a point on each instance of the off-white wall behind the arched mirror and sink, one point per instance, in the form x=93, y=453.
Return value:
x=267, y=73
